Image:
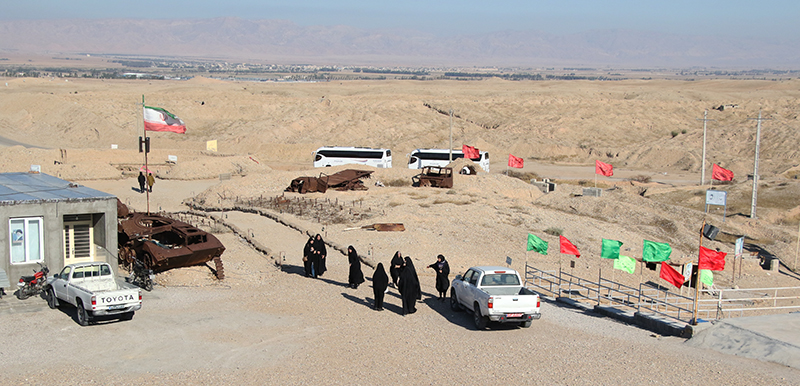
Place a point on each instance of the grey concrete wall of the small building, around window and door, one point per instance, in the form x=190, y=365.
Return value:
x=104, y=218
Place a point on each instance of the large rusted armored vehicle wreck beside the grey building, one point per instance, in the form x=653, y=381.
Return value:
x=162, y=243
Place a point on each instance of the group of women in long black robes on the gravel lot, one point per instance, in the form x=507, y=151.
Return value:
x=403, y=274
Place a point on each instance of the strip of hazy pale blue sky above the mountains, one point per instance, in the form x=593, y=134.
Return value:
x=734, y=18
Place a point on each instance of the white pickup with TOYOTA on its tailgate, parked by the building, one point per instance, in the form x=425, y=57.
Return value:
x=94, y=290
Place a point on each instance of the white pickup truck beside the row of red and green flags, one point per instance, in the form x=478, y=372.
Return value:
x=494, y=294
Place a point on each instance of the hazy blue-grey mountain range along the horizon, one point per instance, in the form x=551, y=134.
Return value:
x=281, y=41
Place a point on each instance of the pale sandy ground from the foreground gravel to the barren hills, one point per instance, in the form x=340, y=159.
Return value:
x=266, y=325
